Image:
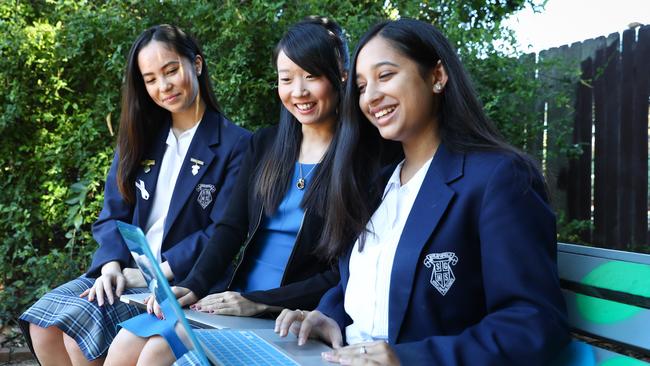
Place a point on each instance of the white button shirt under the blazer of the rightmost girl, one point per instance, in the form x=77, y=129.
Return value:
x=367, y=292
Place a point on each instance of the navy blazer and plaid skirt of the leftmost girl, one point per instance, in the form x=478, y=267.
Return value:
x=200, y=192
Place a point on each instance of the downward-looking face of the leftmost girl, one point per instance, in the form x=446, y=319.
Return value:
x=170, y=79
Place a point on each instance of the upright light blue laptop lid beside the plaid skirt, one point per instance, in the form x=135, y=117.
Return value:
x=157, y=283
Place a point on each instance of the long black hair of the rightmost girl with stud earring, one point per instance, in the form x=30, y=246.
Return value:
x=463, y=127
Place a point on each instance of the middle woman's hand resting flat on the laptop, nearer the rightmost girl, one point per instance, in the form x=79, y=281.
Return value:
x=229, y=303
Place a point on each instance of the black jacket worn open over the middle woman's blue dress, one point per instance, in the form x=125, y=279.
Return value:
x=306, y=275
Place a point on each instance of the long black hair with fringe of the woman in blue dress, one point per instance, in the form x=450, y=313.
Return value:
x=317, y=45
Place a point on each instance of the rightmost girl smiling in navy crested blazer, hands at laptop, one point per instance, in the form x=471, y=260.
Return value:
x=456, y=266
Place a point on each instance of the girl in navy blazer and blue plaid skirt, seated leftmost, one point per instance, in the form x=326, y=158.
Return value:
x=176, y=162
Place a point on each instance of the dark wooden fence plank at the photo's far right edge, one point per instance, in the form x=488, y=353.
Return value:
x=640, y=126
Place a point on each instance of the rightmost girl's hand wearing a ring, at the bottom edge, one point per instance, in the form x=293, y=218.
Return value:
x=371, y=353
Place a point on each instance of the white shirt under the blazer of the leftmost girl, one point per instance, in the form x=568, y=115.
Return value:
x=169, y=169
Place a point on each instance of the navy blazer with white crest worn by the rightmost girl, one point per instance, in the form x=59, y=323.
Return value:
x=474, y=280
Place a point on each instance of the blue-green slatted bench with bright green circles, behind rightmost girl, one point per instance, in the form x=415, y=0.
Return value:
x=608, y=299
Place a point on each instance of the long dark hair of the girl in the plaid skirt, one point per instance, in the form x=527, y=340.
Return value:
x=141, y=117
